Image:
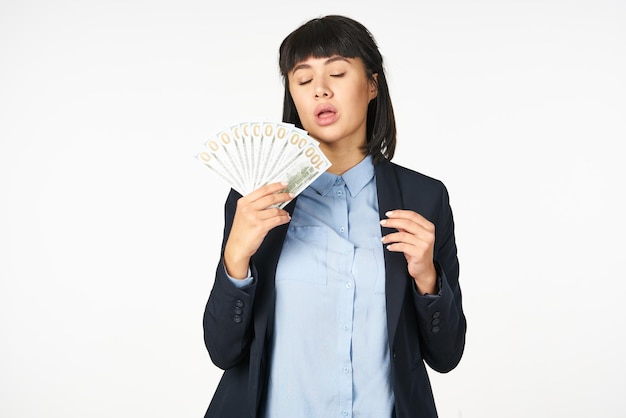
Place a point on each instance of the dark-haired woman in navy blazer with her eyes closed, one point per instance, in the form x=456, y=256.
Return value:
x=333, y=306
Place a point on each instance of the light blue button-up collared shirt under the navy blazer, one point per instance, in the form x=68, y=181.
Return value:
x=330, y=353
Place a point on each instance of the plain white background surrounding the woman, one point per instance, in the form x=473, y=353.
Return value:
x=110, y=229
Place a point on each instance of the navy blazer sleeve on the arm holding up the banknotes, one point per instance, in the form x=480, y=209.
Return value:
x=227, y=318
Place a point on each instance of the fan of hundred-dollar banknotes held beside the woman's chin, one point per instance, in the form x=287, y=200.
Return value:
x=249, y=155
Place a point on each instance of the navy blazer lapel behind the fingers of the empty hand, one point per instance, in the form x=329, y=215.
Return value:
x=390, y=198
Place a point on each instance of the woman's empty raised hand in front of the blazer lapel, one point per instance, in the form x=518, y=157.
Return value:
x=416, y=239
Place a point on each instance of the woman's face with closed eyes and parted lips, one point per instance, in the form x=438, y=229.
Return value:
x=331, y=96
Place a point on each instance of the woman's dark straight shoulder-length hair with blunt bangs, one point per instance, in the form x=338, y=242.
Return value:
x=338, y=35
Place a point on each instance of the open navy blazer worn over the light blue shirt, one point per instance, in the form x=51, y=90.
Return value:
x=238, y=322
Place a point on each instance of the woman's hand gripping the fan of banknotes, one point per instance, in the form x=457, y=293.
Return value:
x=255, y=216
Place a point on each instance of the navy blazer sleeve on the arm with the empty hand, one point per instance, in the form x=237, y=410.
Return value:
x=441, y=320
